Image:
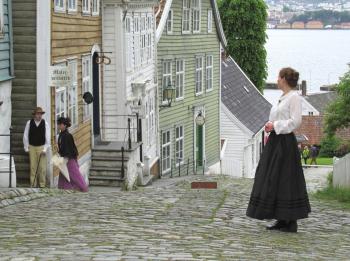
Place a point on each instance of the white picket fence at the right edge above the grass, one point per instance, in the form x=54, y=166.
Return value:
x=341, y=171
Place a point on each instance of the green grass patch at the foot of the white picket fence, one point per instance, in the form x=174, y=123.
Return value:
x=339, y=194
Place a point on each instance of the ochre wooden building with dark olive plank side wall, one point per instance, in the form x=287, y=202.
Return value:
x=65, y=33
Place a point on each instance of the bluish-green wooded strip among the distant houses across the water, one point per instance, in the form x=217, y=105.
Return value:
x=325, y=16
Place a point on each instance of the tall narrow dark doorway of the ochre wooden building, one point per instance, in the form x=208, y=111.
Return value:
x=96, y=94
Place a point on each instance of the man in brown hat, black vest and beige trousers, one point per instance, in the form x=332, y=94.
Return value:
x=36, y=141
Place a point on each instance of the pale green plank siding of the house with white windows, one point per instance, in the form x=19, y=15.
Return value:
x=187, y=46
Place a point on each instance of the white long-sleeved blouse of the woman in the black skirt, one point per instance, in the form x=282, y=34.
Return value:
x=287, y=114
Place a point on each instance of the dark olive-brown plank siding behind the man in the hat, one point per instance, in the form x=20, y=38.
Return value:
x=24, y=84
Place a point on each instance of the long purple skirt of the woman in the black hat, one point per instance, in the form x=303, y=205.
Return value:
x=77, y=181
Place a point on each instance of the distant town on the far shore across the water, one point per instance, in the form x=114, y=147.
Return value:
x=308, y=14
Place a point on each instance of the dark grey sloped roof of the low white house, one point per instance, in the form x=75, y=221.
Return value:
x=242, y=98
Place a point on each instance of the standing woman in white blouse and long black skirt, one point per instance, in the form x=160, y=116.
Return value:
x=279, y=190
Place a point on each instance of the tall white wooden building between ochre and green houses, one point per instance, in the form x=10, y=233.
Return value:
x=129, y=81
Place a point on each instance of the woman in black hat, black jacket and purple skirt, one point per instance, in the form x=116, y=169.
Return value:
x=67, y=149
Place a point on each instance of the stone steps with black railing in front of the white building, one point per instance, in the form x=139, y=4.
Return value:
x=106, y=165
